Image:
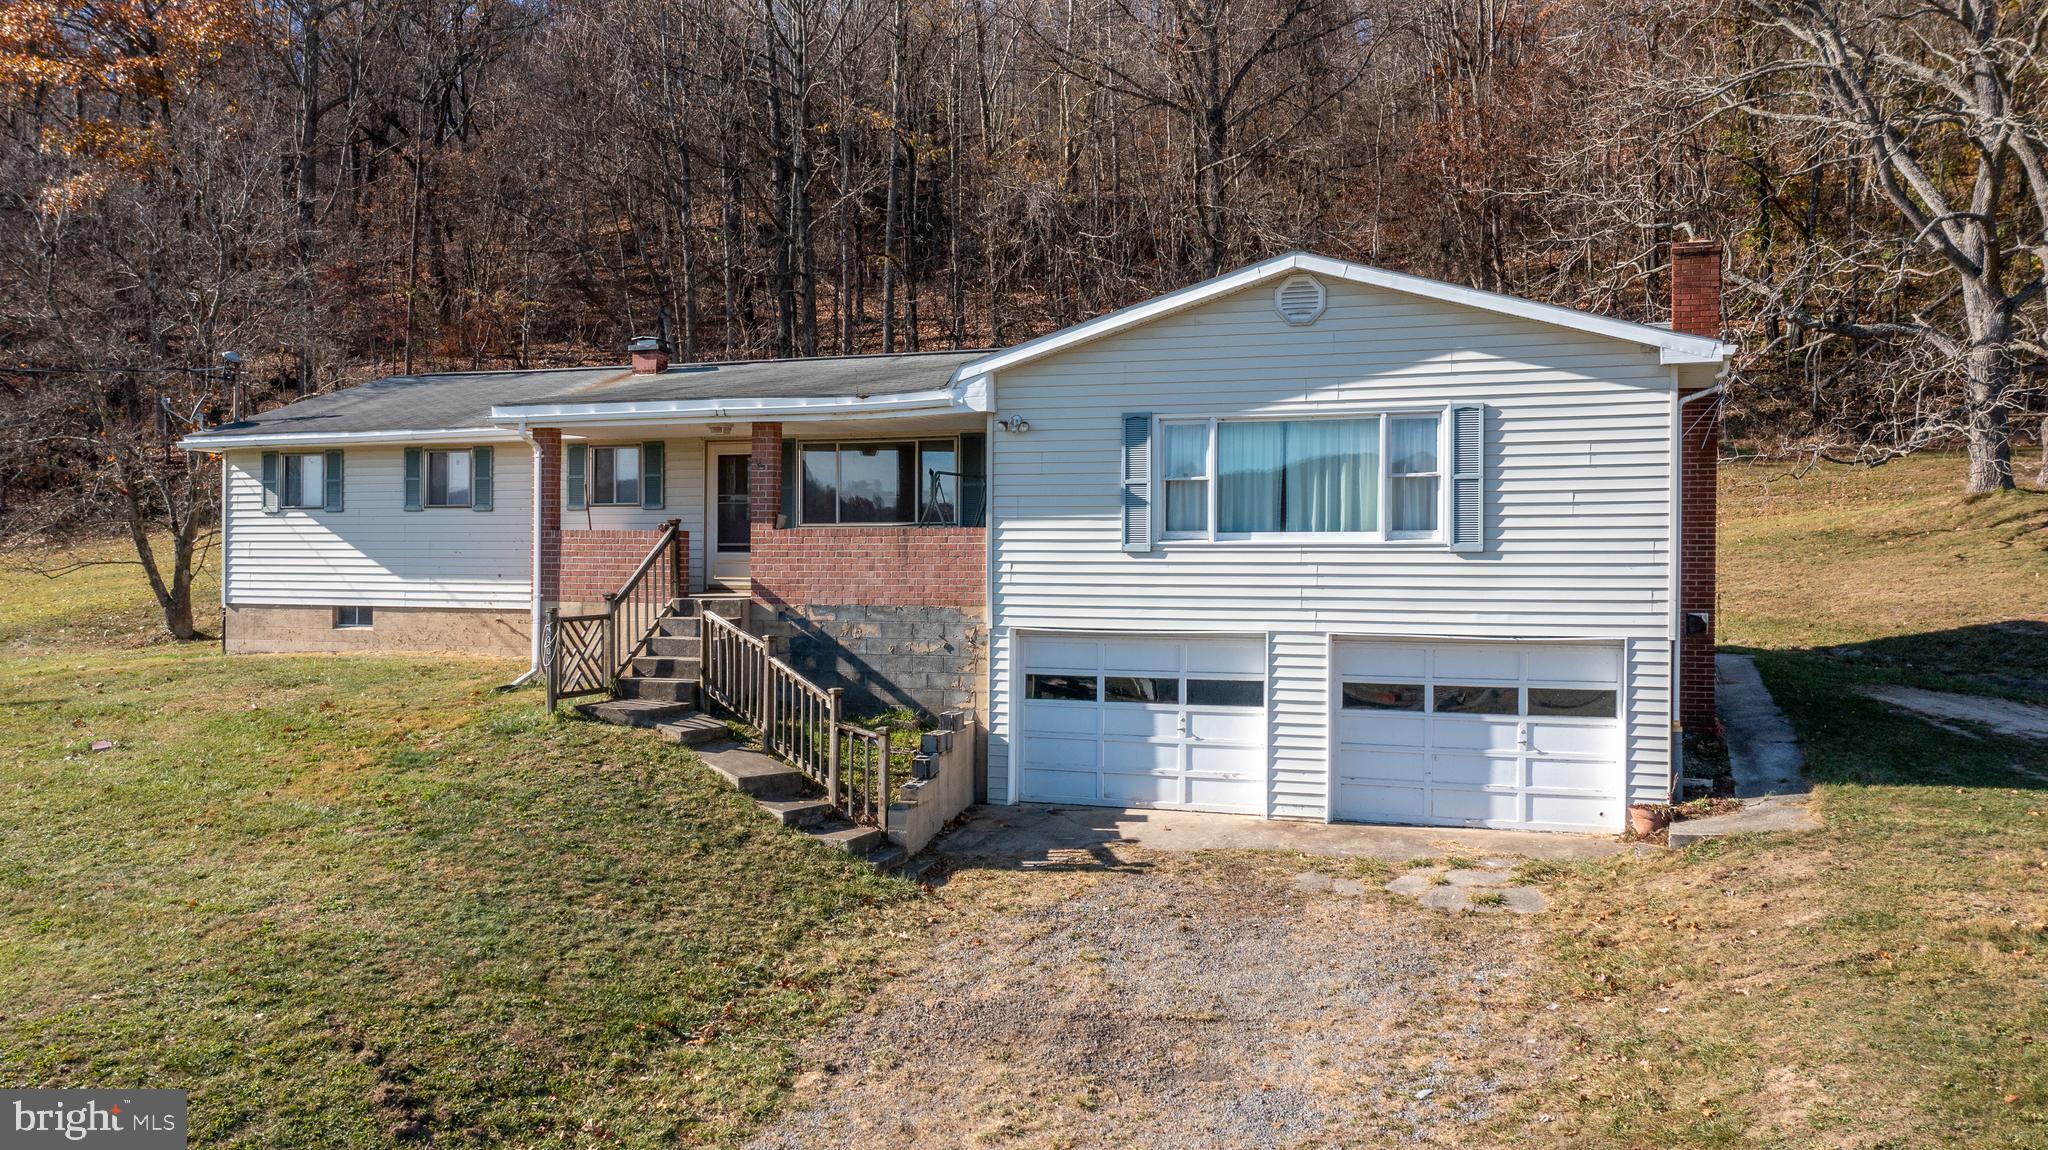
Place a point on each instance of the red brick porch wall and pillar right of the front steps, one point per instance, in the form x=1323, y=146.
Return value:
x=941, y=568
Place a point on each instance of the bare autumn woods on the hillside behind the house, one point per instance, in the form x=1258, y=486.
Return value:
x=339, y=189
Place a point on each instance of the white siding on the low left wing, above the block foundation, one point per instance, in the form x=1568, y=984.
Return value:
x=374, y=551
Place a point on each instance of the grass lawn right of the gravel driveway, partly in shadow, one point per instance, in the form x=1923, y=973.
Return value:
x=1885, y=979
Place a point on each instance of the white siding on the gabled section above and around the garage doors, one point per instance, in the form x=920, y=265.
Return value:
x=1576, y=537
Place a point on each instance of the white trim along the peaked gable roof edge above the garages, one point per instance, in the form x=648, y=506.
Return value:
x=1672, y=347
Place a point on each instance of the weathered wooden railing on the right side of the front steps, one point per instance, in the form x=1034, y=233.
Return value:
x=800, y=721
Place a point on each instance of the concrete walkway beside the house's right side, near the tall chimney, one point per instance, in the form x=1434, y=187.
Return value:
x=1764, y=756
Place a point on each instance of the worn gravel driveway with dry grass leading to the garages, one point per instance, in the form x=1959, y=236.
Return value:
x=1177, y=1002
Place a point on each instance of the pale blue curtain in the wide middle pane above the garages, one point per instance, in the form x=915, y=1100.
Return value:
x=1308, y=476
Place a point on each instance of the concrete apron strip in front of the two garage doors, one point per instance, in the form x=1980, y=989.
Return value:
x=1056, y=836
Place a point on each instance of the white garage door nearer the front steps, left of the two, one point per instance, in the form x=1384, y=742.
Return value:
x=1140, y=721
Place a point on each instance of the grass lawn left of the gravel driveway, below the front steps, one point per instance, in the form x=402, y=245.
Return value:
x=353, y=901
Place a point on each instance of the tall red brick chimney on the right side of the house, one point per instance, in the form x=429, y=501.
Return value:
x=1697, y=310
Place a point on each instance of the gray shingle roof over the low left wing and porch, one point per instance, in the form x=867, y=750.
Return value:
x=466, y=400
